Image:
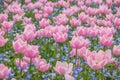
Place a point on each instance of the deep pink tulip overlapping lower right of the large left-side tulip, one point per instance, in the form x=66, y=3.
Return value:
x=31, y=51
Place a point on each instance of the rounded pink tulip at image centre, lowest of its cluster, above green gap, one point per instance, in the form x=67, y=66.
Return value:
x=60, y=37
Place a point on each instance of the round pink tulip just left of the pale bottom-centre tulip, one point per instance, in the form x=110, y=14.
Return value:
x=42, y=65
